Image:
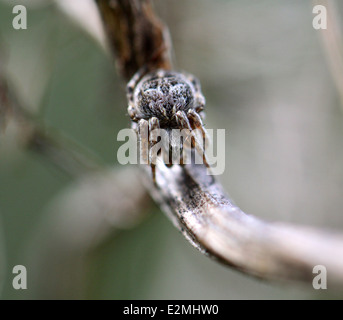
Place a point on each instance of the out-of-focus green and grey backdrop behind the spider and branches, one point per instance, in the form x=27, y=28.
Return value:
x=266, y=81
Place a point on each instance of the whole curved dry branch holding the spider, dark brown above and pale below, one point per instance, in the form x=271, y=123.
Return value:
x=196, y=202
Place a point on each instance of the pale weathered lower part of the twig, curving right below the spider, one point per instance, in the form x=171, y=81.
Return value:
x=201, y=209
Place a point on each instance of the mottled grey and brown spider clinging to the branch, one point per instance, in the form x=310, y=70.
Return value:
x=164, y=99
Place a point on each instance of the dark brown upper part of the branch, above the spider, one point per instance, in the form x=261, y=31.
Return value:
x=135, y=34
